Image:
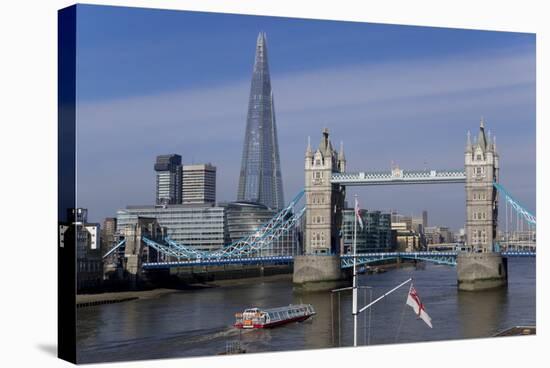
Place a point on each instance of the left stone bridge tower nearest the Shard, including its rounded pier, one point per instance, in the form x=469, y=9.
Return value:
x=319, y=267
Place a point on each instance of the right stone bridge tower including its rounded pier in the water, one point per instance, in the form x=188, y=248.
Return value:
x=482, y=268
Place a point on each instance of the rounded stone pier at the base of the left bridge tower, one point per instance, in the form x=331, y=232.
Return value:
x=318, y=272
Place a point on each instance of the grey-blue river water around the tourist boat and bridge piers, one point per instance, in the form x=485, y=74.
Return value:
x=199, y=322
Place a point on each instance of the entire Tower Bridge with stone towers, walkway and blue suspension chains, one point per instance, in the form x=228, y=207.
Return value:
x=318, y=208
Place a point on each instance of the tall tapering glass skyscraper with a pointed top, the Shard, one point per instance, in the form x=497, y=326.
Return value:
x=260, y=177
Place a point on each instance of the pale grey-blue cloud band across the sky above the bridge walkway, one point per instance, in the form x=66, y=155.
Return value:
x=408, y=110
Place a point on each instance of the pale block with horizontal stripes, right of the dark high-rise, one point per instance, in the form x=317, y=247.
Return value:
x=198, y=184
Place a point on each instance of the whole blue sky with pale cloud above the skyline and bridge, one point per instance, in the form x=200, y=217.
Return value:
x=155, y=81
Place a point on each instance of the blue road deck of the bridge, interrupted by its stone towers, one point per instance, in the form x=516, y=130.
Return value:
x=446, y=258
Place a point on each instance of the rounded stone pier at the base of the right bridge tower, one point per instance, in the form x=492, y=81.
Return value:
x=481, y=271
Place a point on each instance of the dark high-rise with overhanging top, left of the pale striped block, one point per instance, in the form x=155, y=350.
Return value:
x=168, y=179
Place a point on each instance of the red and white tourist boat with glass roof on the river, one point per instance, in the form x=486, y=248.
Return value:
x=266, y=318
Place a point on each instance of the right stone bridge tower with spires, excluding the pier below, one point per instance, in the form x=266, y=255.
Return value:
x=481, y=167
